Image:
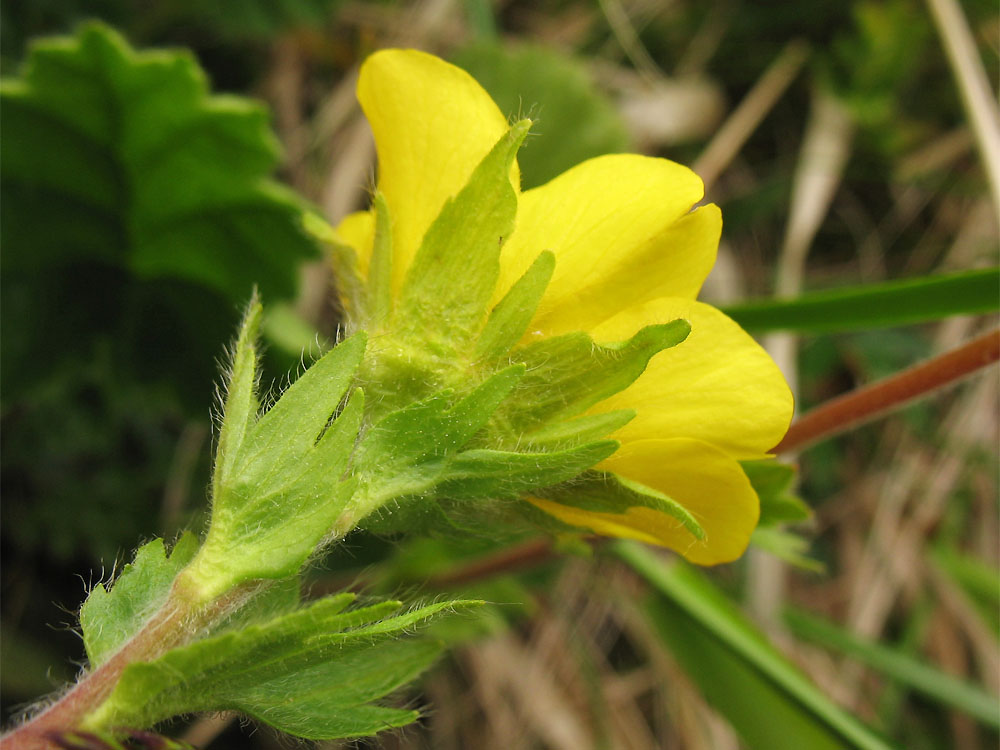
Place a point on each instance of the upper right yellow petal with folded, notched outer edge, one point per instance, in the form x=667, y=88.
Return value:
x=622, y=231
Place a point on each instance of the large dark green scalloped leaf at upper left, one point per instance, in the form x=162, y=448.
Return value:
x=122, y=157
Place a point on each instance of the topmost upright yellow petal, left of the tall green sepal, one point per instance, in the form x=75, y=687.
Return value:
x=433, y=124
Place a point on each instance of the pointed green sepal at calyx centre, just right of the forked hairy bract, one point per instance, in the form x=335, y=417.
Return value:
x=408, y=452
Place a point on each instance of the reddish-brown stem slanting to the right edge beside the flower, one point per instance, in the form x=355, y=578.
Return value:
x=872, y=401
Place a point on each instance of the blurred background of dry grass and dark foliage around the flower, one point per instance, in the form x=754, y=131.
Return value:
x=834, y=138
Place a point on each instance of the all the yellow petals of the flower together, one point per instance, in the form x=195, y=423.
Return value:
x=630, y=251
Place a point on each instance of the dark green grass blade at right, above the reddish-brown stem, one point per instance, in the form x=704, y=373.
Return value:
x=893, y=303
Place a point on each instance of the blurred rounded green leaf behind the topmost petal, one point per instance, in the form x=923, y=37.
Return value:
x=575, y=121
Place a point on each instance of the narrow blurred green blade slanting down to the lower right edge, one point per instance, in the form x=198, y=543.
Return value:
x=908, y=670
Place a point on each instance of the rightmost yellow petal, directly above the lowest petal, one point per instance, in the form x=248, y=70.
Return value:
x=718, y=385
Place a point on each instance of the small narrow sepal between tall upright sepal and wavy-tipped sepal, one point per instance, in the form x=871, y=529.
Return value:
x=510, y=318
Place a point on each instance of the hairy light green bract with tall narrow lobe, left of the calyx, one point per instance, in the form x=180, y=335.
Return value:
x=280, y=480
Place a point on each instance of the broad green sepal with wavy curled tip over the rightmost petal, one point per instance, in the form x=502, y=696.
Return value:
x=567, y=374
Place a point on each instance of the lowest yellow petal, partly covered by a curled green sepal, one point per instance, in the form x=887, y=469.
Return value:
x=707, y=482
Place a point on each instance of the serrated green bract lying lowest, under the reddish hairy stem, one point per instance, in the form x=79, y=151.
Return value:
x=313, y=673
